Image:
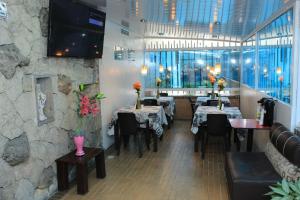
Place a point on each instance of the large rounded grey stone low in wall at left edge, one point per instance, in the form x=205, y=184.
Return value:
x=16, y=150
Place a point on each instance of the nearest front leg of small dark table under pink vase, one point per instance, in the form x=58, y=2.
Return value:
x=82, y=178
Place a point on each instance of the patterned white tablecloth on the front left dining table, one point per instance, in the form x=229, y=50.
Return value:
x=155, y=114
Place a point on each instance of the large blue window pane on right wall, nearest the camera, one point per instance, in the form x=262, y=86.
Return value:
x=275, y=57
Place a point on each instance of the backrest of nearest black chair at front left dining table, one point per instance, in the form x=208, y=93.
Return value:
x=127, y=123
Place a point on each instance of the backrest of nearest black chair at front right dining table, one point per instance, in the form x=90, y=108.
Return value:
x=217, y=124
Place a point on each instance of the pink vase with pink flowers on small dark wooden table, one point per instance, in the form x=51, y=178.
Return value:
x=88, y=107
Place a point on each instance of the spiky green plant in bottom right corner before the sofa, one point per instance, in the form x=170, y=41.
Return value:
x=285, y=190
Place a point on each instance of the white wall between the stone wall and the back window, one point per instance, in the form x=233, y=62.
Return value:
x=117, y=77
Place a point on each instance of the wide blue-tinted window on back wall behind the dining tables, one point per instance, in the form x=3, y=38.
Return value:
x=189, y=69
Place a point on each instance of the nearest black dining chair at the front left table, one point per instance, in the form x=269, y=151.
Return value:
x=128, y=125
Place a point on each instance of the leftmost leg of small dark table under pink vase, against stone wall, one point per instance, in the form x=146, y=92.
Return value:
x=62, y=176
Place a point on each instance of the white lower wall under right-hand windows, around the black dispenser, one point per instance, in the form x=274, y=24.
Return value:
x=249, y=98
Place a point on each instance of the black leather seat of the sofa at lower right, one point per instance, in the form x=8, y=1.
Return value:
x=249, y=175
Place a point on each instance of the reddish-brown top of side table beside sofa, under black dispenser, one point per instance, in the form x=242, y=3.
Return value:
x=247, y=124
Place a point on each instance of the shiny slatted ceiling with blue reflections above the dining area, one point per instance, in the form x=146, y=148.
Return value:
x=216, y=17
